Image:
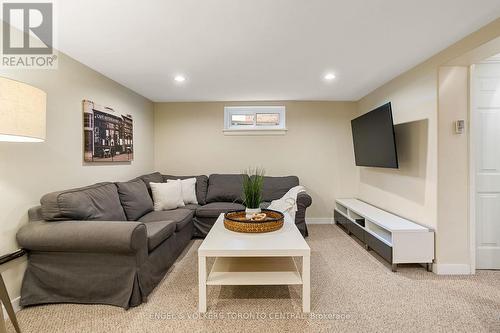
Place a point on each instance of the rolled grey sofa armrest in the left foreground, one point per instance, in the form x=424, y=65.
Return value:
x=83, y=236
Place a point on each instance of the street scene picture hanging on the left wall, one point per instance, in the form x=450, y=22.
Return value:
x=107, y=134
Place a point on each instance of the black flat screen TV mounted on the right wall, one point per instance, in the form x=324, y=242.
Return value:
x=374, y=139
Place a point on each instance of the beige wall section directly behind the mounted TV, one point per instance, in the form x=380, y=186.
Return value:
x=411, y=190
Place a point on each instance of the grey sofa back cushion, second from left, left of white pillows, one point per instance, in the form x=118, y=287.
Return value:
x=134, y=198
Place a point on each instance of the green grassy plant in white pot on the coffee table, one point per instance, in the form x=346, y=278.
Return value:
x=252, y=191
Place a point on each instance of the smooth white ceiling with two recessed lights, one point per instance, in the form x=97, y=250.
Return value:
x=262, y=49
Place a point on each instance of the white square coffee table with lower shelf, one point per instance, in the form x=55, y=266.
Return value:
x=254, y=259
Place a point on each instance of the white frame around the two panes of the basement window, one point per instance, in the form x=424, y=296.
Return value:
x=254, y=129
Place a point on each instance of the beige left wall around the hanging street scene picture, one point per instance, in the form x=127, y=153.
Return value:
x=28, y=170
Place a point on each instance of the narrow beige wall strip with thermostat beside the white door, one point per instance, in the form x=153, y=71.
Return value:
x=453, y=167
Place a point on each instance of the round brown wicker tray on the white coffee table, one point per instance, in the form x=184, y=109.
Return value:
x=236, y=221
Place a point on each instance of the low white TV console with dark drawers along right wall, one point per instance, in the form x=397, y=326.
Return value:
x=394, y=238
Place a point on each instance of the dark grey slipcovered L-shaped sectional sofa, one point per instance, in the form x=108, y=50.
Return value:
x=104, y=244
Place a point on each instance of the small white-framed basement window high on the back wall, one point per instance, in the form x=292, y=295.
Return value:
x=254, y=120
